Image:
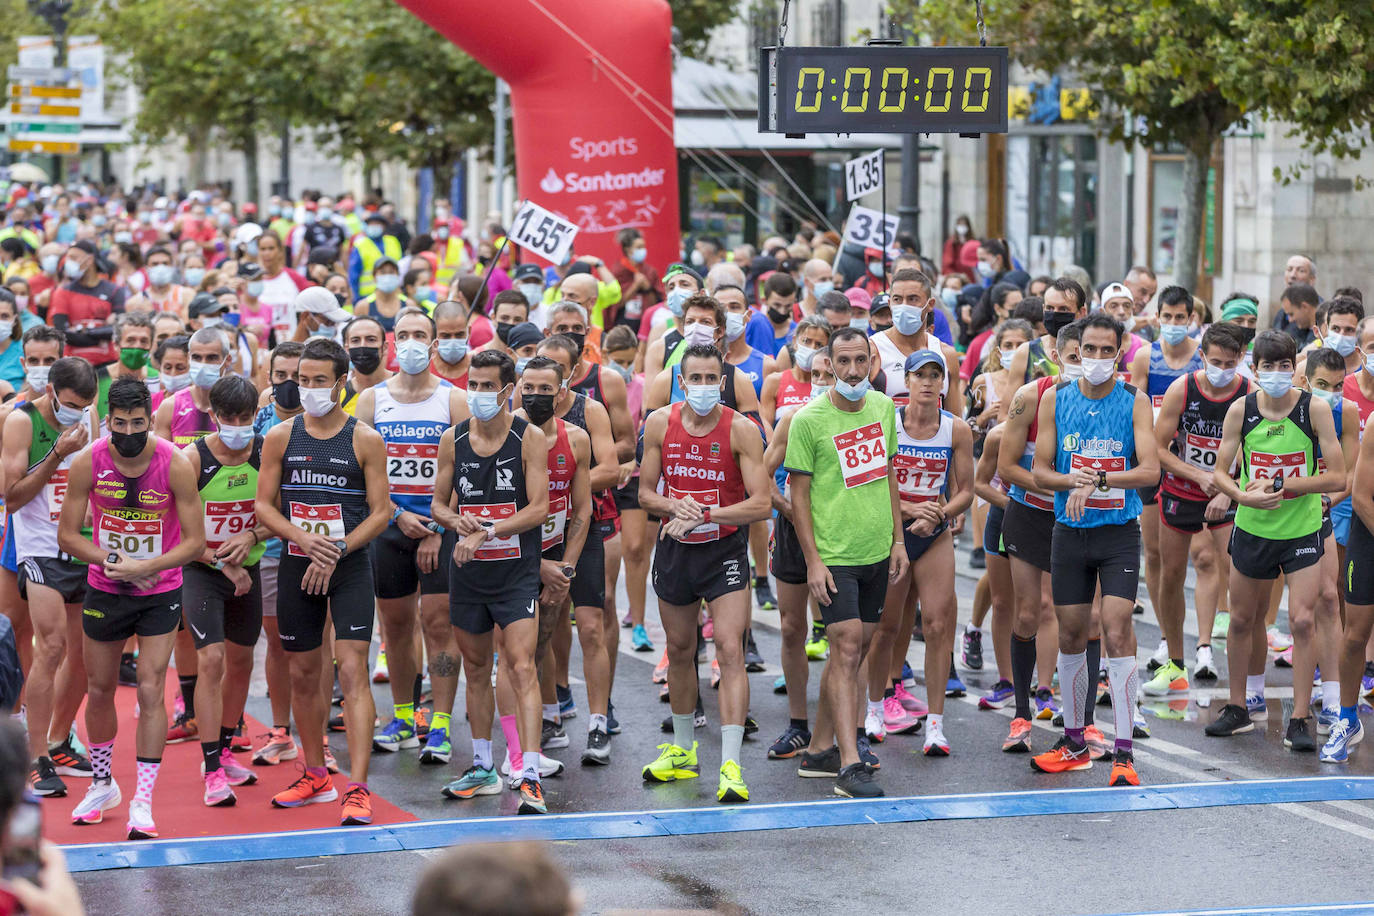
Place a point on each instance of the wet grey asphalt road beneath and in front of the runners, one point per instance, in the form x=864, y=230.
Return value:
x=1243, y=856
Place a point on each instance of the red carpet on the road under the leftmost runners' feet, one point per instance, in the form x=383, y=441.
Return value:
x=179, y=799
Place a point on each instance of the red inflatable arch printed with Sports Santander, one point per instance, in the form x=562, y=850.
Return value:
x=593, y=105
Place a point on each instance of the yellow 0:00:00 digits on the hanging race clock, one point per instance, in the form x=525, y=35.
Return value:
x=858, y=90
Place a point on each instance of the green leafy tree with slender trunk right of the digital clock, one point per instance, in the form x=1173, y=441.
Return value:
x=1188, y=71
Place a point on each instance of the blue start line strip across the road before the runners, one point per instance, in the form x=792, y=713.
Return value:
x=348, y=841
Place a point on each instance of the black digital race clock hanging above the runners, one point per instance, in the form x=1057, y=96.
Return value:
x=883, y=90
